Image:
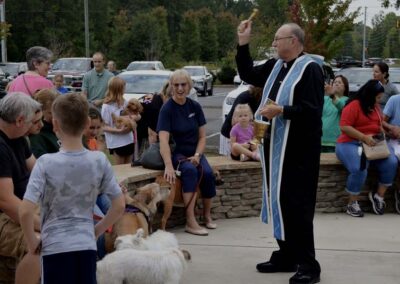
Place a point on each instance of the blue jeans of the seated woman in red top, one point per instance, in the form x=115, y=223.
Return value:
x=349, y=154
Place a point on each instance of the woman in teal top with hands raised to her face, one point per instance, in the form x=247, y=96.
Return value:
x=335, y=98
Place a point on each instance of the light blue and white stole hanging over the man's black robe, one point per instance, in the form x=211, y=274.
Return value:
x=279, y=134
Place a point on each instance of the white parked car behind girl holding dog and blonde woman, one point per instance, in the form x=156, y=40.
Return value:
x=140, y=83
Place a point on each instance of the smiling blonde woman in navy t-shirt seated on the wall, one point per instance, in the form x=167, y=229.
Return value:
x=184, y=119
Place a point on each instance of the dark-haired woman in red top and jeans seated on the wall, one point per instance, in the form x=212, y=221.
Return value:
x=361, y=121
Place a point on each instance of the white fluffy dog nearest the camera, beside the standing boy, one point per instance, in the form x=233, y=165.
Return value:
x=129, y=266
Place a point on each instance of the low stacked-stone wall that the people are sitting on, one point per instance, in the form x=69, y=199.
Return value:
x=240, y=196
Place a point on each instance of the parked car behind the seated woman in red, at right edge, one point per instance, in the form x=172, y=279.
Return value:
x=359, y=76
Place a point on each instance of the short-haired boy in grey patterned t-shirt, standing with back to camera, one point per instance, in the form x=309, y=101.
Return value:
x=66, y=184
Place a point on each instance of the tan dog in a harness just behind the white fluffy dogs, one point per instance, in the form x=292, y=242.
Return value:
x=141, y=207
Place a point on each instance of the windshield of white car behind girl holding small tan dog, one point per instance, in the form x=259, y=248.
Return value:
x=144, y=84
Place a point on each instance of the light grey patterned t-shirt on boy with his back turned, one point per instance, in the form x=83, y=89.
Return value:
x=66, y=185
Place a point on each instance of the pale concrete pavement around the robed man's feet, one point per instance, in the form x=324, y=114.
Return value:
x=350, y=250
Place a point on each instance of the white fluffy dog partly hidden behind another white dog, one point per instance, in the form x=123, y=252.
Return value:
x=159, y=240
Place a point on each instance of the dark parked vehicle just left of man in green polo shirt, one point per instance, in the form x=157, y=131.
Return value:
x=73, y=69
